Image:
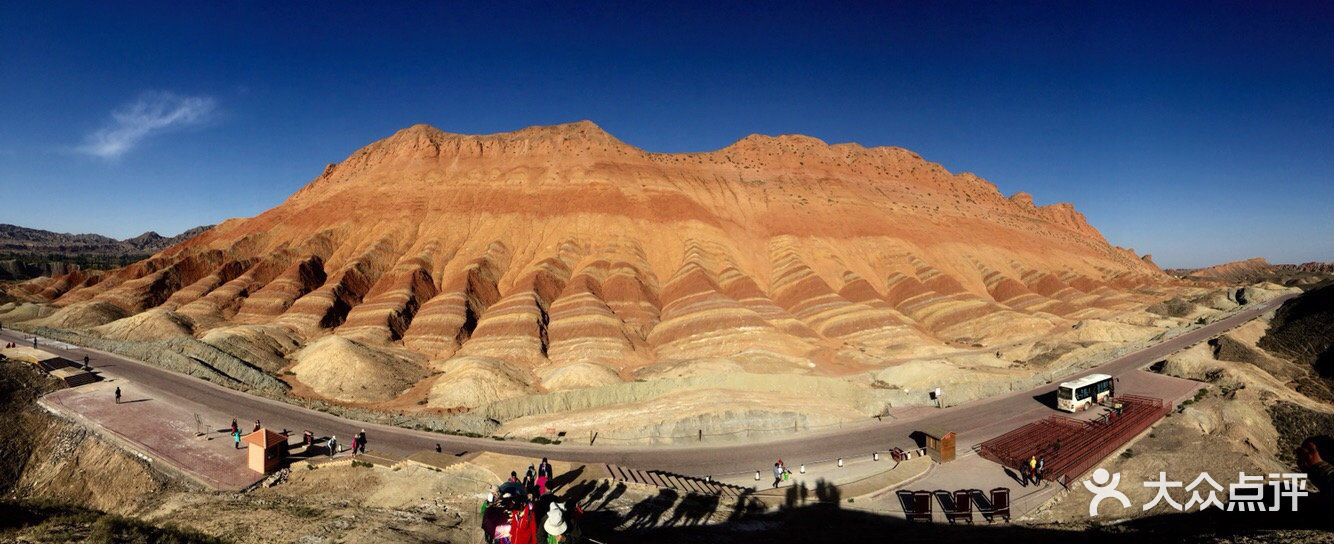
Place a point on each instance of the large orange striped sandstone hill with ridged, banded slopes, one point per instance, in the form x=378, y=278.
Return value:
x=449, y=271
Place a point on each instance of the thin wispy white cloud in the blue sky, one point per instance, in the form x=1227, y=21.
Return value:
x=151, y=114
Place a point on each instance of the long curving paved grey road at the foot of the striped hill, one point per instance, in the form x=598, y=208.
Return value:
x=973, y=422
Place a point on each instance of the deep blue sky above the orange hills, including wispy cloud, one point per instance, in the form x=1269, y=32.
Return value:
x=1199, y=133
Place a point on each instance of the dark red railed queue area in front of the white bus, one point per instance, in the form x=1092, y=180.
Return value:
x=1072, y=447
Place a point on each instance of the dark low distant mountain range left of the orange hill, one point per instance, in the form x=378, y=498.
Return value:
x=30, y=253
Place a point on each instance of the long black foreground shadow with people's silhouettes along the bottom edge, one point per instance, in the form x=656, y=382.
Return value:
x=821, y=515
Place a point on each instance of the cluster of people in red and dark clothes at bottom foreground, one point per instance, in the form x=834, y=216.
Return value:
x=526, y=511
